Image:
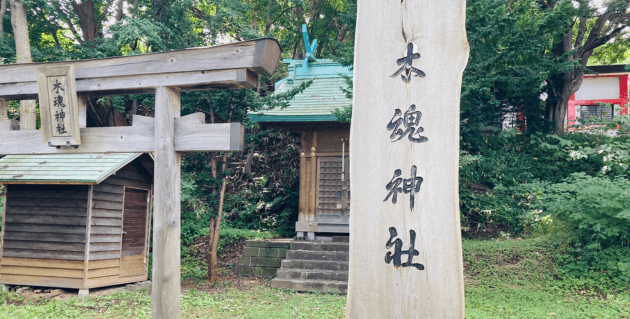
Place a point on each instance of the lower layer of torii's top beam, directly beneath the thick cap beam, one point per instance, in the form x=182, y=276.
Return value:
x=140, y=84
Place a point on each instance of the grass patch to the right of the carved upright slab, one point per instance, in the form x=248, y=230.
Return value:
x=517, y=279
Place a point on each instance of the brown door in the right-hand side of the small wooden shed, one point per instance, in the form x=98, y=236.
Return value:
x=133, y=261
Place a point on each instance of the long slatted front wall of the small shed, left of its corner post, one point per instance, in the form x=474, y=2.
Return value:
x=44, y=235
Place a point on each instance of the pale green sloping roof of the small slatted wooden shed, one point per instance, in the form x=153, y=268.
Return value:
x=62, y=169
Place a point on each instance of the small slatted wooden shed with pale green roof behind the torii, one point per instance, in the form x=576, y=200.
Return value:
x=75, y=221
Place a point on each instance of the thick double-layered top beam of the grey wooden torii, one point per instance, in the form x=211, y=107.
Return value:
x=226, y=66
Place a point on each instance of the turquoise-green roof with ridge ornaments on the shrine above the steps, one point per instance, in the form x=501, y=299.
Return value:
x=317, y=102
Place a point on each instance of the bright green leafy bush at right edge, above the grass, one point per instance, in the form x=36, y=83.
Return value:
x=597, y=208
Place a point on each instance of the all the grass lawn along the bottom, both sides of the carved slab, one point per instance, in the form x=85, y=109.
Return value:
x=504, y=279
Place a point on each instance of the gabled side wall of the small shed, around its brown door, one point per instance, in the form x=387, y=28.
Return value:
x=106, y=226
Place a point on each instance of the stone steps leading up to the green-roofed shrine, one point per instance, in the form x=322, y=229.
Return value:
x=315, y=266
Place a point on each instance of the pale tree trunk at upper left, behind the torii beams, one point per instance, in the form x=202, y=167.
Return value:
x=28, y=112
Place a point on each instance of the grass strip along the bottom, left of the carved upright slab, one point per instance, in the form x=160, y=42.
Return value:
x=258, y=303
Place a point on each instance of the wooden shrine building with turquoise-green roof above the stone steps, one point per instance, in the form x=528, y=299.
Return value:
x=324, y=206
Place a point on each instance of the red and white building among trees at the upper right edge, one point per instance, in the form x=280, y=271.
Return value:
x=603, y=94
